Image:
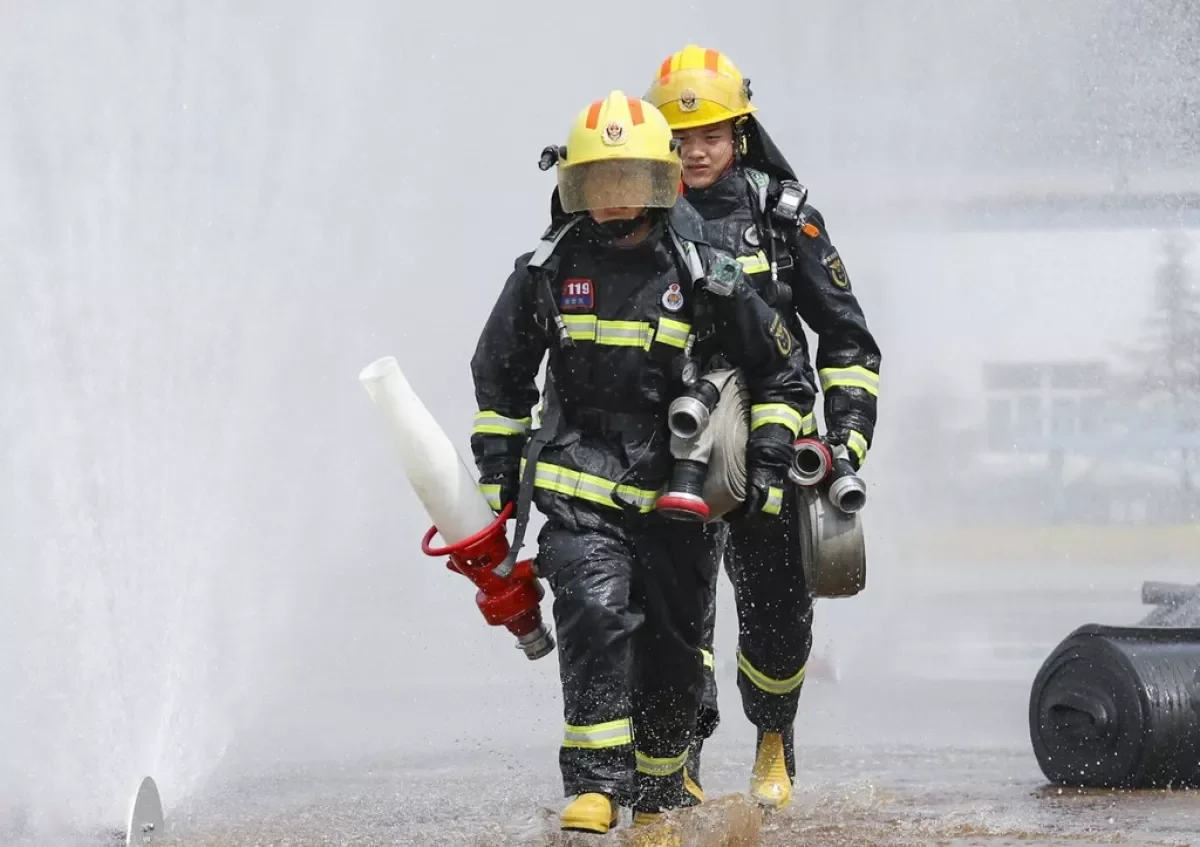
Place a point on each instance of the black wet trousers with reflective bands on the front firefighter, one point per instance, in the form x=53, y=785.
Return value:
x=629, y=606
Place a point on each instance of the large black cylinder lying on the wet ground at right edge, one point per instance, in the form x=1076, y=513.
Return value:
x=1120, y=708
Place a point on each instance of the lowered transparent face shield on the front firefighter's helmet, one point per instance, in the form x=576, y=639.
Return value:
x=619, y=184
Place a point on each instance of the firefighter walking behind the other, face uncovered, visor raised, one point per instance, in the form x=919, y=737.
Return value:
x=754, y=208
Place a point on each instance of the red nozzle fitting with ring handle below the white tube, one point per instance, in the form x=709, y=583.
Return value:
x=508, y=596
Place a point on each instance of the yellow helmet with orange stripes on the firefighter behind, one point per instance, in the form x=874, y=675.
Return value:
x=698, y=87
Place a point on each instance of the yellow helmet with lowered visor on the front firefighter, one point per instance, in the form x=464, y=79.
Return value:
x=620, y=155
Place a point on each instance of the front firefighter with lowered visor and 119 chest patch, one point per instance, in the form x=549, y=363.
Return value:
x=622, y=293
